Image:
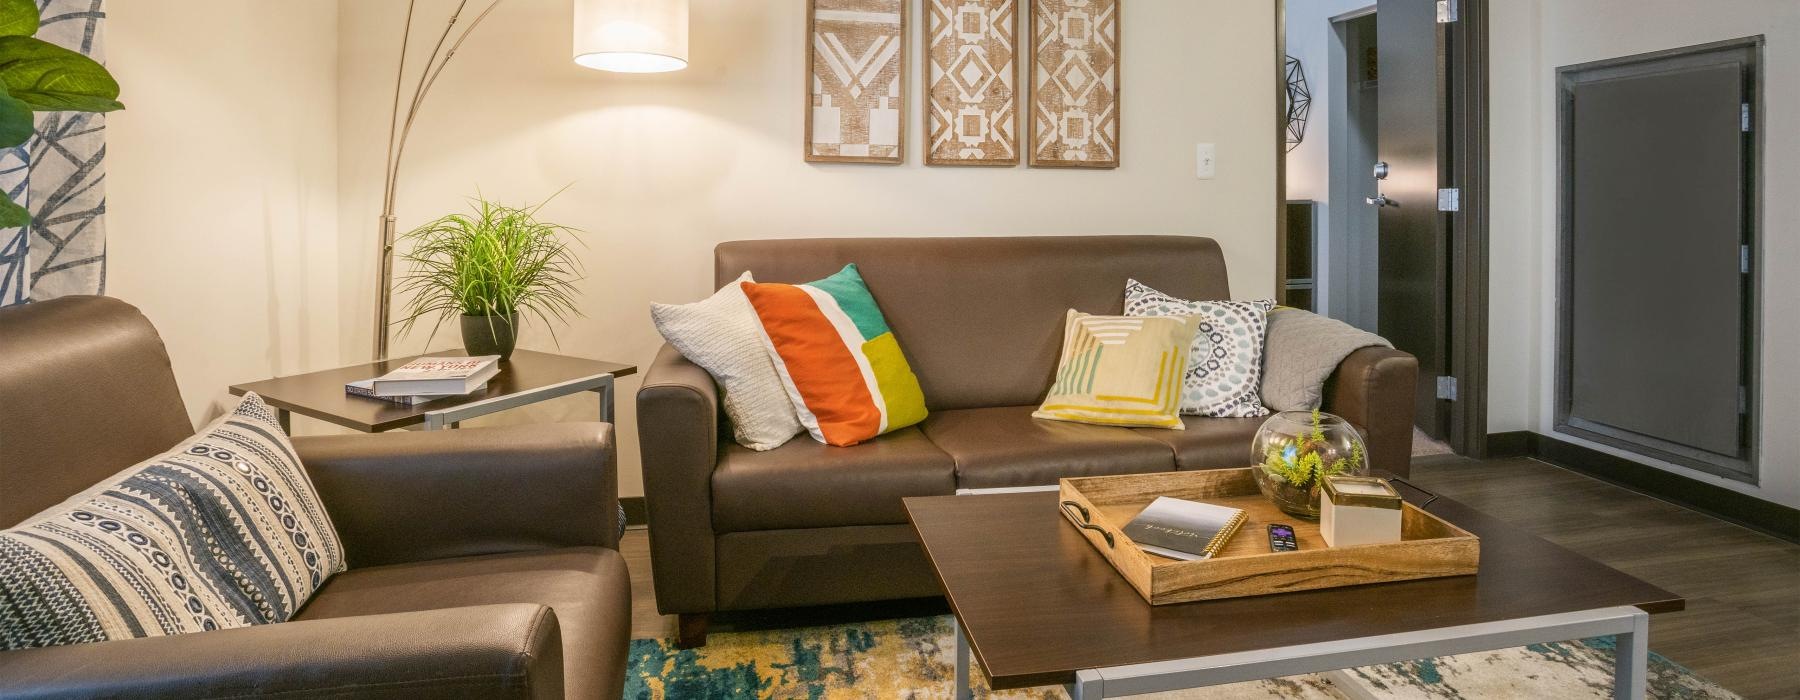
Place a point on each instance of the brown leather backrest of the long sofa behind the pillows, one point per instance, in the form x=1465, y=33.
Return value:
x=982, y=318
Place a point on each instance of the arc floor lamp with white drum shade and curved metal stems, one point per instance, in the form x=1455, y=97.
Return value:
x=609, y=35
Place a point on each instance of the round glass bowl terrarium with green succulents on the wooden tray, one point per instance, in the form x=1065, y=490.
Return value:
x=1295, y=451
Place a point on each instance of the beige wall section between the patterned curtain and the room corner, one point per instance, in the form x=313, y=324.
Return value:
x=222, y=186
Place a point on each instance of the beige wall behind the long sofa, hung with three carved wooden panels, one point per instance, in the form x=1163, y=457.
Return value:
x=661, y=168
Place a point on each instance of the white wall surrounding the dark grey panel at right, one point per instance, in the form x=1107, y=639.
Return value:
x=1531, y=40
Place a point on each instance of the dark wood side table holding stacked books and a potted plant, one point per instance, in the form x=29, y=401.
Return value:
x=526, y=379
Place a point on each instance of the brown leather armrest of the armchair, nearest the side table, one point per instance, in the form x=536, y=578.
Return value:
x=429, y=496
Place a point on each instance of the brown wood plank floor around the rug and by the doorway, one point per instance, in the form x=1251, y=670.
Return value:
x=1741, y=627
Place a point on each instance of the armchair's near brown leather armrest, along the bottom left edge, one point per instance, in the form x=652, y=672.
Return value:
x=478, y=652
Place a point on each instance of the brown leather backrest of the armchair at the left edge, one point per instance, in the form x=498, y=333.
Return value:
x=85, y=391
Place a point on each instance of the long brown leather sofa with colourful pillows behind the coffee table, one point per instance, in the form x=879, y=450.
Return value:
x=982, y=323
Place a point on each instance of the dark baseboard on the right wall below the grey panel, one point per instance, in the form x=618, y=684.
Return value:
x=1722, y=503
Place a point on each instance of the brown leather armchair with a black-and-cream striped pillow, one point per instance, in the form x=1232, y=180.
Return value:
x=481, y=562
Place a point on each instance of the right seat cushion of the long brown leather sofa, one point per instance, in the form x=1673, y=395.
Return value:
x=1007, y=447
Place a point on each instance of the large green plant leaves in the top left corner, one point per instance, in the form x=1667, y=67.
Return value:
x=40, y=76
